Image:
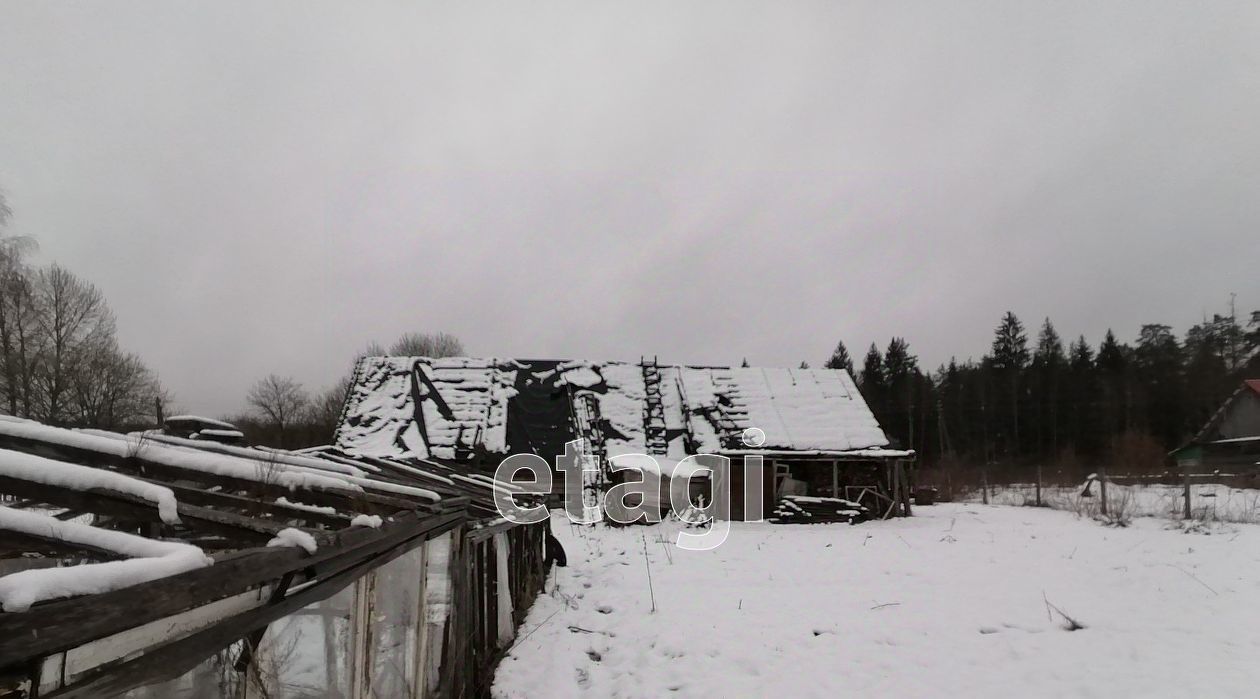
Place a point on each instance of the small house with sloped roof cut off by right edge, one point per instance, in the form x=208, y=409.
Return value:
x=1230, y=441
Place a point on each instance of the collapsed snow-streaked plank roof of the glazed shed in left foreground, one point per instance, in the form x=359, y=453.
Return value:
x=157, y=551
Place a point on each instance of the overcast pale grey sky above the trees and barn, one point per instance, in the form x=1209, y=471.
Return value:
x=266, y=187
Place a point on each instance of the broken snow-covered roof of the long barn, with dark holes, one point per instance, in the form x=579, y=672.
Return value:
x=461, y=407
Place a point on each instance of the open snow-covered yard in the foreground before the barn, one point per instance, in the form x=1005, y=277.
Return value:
x=951, y=603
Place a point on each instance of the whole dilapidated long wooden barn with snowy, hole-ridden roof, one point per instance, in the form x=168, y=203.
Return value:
x=813, y=431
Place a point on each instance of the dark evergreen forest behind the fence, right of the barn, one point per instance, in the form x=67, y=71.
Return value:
x=1038, y=401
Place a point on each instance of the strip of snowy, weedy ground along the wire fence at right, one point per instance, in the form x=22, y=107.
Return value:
x=1209, y=502
